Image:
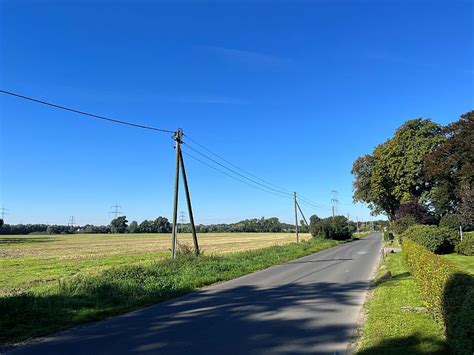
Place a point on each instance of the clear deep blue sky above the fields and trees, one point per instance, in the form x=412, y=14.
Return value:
x=292, y=91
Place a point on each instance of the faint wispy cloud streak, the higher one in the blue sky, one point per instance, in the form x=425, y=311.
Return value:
x=246, y=56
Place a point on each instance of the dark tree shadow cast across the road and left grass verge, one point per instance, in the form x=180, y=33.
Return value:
x=288, y=319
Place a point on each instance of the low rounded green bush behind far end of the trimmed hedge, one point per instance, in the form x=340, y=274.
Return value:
x=436, y=240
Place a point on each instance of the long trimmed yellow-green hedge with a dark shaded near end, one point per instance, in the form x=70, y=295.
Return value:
x=448, y=293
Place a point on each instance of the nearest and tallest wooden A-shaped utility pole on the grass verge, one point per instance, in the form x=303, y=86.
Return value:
x=180, y=164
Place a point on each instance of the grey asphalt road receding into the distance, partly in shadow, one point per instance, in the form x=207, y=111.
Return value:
x=309, y=305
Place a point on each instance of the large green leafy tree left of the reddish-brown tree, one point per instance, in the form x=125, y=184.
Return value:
x=394, y=173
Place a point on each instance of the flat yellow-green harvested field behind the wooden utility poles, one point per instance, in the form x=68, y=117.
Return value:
x=33, y=262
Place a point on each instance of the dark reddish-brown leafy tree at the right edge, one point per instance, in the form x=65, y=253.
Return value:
x=450, y=167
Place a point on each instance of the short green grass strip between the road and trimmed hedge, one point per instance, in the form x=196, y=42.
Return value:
x=390, y=330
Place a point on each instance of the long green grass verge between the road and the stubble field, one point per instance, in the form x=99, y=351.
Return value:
x=90, y=297
